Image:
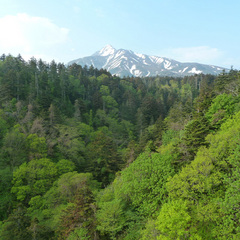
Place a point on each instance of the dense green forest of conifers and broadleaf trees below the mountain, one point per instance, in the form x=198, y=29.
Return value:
x=88, y=155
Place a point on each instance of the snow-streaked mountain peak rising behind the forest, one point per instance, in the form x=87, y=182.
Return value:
x=128, y=63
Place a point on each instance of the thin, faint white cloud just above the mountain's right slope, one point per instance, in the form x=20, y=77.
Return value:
x=201, y=54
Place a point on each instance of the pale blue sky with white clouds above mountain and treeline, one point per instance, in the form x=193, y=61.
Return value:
x=205, y=31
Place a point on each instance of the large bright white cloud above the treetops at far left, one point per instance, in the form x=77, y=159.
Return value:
x=30, y=36
